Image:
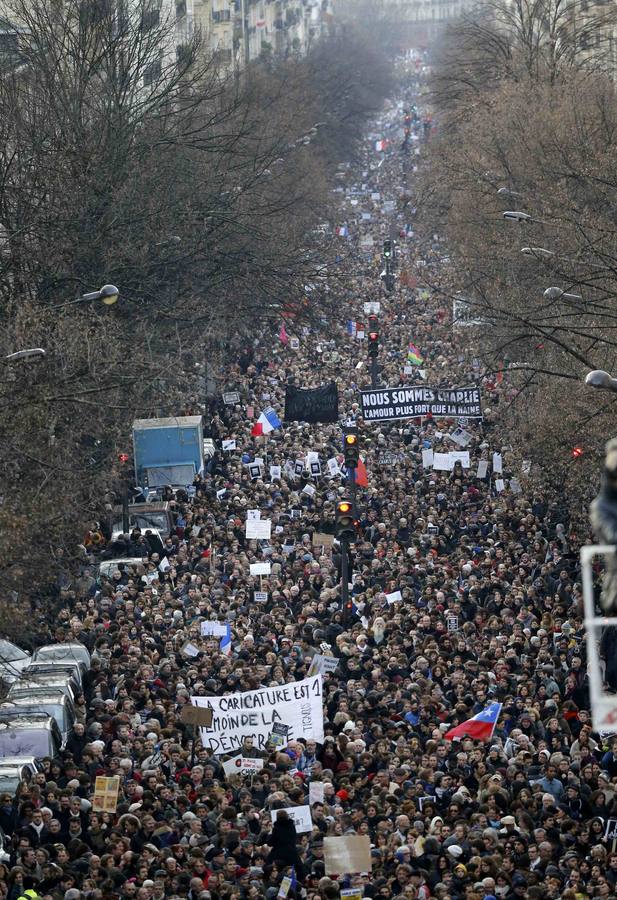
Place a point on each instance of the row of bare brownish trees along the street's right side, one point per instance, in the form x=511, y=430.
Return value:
x=527, y=122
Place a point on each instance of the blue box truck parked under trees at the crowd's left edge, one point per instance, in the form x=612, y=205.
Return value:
x=168, y=451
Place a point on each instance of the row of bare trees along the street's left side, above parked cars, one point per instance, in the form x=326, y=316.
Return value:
x=197, y=194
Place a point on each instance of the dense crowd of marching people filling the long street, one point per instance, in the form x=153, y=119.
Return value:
x=490, y=610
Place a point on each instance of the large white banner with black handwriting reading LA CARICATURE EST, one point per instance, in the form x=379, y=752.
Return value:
x=253, y=713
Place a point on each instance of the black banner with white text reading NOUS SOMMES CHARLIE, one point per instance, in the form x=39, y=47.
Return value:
x=387, y=404
